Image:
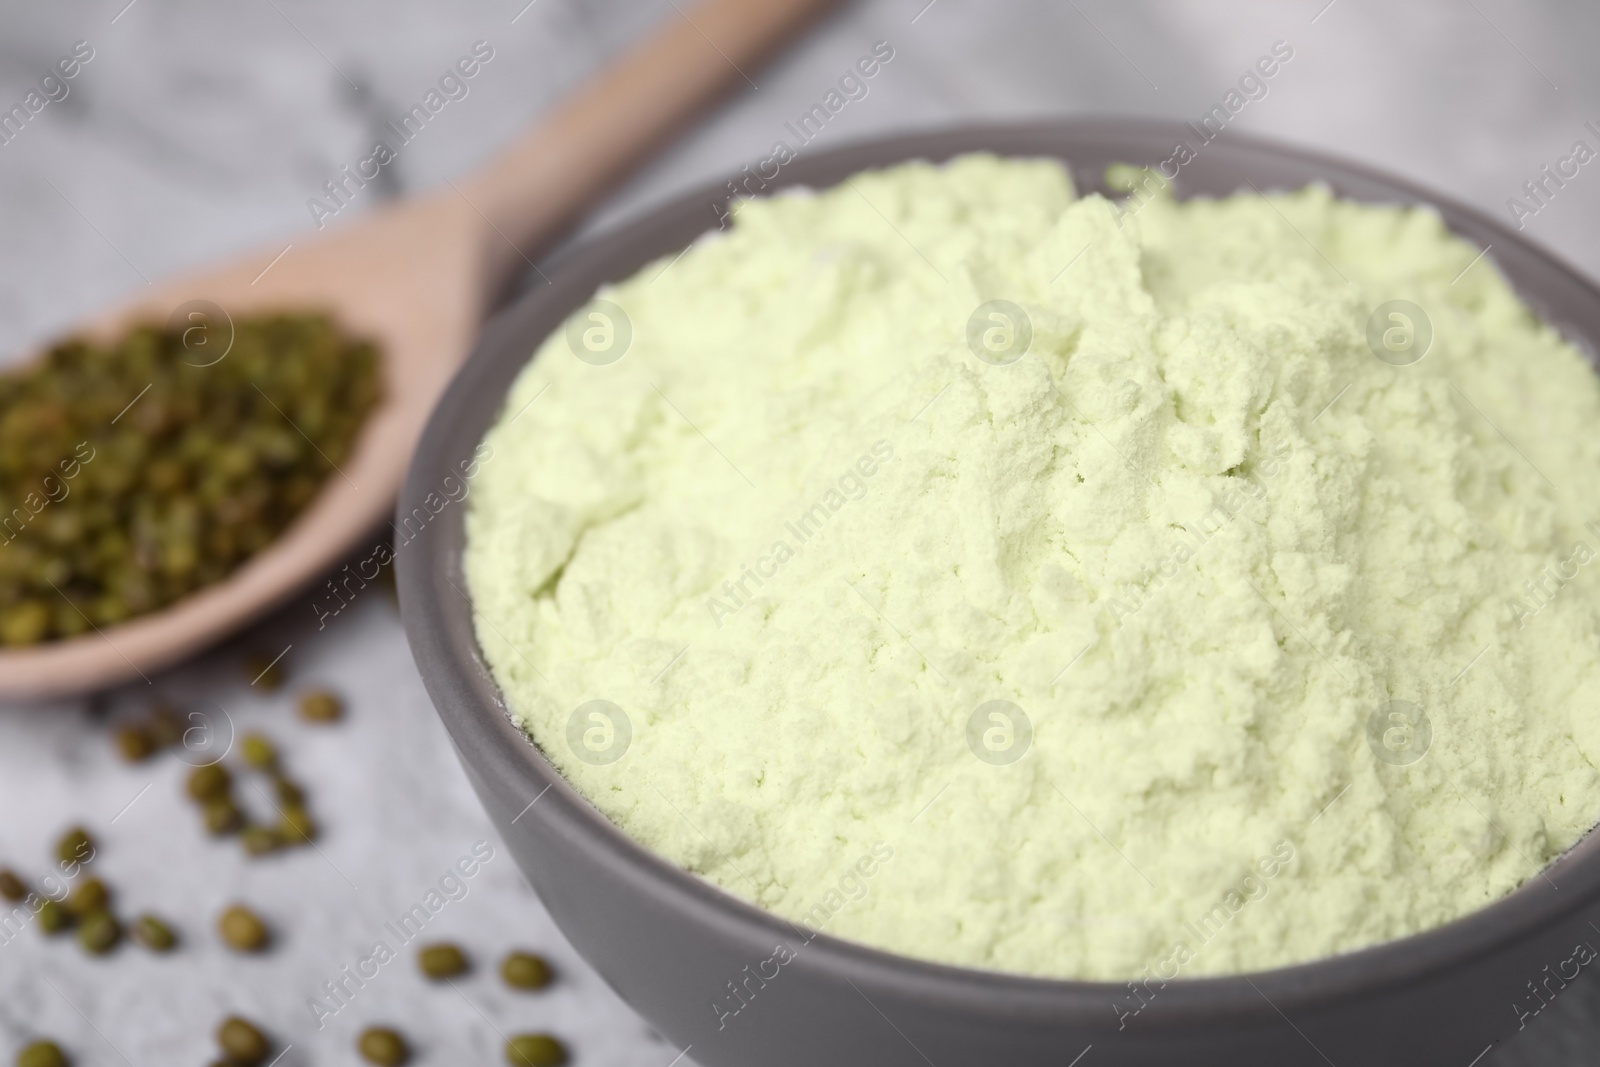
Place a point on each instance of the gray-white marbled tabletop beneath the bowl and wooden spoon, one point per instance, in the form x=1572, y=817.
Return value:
x=202, y=129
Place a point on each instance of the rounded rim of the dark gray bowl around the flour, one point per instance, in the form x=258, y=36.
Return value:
x=441, y=631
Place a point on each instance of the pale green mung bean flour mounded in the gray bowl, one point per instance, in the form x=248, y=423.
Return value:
x=1012, y=580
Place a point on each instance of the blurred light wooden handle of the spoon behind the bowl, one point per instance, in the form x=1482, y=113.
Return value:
x=630, y=110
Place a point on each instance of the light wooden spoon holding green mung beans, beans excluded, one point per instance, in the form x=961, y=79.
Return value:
x=418, y=278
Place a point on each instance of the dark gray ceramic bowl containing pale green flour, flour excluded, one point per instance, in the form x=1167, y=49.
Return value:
x=671, y=945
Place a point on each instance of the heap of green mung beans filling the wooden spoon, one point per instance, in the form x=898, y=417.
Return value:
x=134, y=474
